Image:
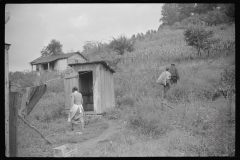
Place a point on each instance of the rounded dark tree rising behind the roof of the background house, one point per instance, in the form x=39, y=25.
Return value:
x=53, y=48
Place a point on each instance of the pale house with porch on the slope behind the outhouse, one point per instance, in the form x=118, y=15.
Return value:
x=58, y=62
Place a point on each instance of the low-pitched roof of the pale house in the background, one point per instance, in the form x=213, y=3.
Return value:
x=53, y=58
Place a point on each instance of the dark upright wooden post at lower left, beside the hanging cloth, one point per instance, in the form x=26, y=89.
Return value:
x=14, y=105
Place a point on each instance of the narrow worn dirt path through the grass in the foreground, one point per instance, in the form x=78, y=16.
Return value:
x=113, y=127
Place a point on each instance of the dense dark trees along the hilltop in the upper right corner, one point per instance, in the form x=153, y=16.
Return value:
x=211, y=13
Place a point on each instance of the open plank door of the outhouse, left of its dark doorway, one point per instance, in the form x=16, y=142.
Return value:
x=69, y=82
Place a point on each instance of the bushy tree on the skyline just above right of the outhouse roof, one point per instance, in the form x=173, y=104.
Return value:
x=121, y=45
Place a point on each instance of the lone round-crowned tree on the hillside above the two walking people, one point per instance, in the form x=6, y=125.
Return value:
x=199, y=38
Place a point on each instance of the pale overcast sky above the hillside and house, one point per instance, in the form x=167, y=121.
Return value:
x=32, y=26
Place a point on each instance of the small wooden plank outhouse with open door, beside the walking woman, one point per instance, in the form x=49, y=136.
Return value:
x=95, y=82
